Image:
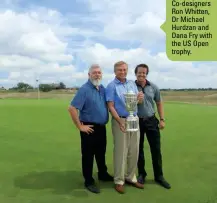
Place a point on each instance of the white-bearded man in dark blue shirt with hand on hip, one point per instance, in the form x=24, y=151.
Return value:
x=90, y=101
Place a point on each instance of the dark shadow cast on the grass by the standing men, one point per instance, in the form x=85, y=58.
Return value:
x=61, y=182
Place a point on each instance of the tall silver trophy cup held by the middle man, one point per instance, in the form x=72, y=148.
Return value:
x=132, y=122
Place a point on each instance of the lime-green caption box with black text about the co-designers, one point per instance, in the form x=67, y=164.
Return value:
x=191, y=31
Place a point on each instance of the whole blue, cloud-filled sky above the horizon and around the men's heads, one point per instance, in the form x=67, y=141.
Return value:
x=58, y=40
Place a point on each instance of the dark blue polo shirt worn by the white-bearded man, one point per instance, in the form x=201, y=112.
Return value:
x=91, y=104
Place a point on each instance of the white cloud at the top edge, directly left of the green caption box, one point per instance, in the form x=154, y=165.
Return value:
x=131, y=20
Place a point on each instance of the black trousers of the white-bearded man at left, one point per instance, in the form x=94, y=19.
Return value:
x=93, y=145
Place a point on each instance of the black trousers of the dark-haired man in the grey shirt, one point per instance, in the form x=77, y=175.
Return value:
x=151, y=129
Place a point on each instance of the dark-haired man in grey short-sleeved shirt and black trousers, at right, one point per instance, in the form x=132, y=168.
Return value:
x=150, y=125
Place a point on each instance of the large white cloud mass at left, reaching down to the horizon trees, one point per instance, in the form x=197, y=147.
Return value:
x=33, y=46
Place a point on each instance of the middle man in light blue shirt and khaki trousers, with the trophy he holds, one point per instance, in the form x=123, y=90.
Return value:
x=122, y=97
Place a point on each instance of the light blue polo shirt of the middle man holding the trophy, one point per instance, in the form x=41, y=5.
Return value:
x=115, y=92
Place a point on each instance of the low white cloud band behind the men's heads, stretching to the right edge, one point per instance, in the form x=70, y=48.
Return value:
x=163, y=72
